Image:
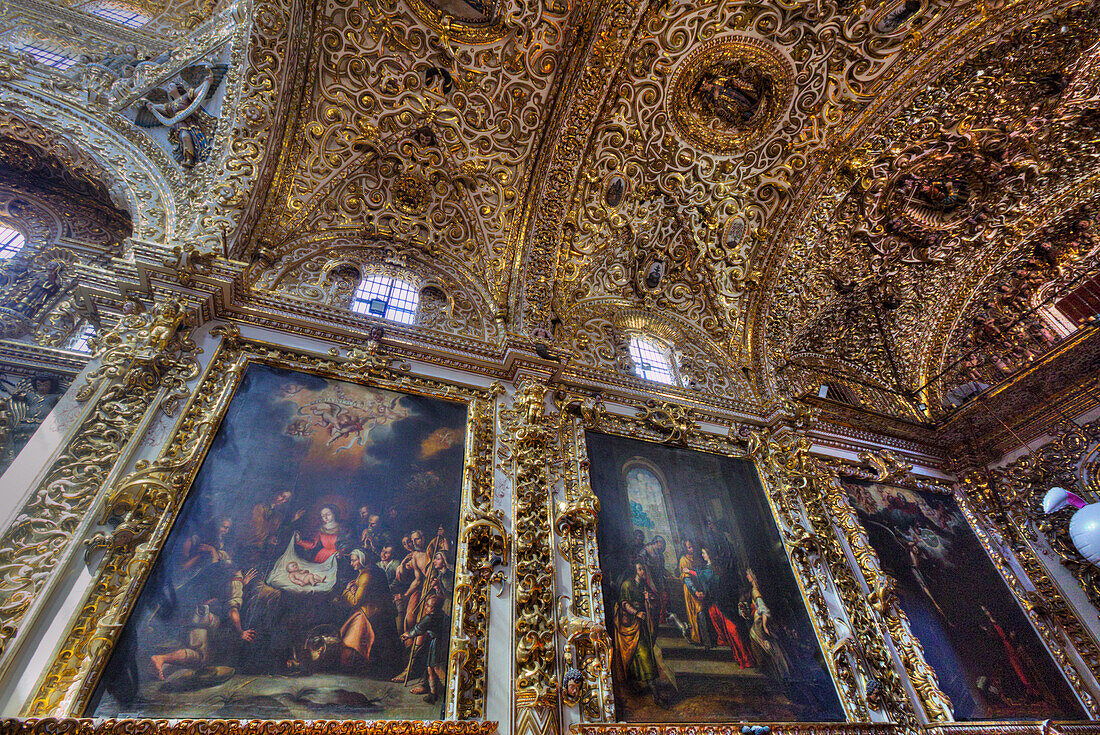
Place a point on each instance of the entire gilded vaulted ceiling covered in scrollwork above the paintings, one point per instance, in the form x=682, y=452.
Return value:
x=795, y=192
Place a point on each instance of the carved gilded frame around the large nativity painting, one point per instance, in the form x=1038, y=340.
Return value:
x=147, y=501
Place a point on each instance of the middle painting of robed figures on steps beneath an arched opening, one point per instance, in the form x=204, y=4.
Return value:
x=707, y=620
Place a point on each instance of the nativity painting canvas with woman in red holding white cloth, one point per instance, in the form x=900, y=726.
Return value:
x=311, y=572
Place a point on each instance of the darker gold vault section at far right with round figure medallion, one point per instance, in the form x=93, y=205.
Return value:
x=954, y=191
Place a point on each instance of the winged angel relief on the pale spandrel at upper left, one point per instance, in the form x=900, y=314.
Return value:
x=179, y=107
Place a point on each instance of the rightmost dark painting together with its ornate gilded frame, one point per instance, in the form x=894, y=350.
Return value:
x=1024, y=638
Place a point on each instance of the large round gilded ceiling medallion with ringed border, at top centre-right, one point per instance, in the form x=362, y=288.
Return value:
x=730, y=94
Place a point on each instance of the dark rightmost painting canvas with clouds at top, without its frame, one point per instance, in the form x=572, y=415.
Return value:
x=988, y=659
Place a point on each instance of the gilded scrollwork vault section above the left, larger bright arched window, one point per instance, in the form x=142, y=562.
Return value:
x=408, y=123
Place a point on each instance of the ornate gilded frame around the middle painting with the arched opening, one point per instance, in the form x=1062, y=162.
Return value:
x=589, y=639
